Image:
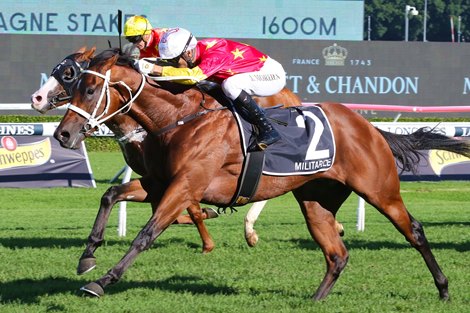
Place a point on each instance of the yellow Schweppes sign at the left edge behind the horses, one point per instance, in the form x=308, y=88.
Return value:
x=31, y=154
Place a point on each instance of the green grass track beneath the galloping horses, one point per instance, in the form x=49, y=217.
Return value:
x=43, y=231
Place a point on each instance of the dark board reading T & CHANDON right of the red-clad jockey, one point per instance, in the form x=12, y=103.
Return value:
x=373, y=72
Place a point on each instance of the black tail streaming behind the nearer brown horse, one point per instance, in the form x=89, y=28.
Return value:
x=407, y=149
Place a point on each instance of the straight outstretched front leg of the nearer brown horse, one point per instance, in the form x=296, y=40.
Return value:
x=165, y=212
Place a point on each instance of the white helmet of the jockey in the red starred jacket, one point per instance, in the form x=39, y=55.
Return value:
x=175, y=42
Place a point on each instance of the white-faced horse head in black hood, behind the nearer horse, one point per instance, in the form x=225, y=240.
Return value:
x=57, y=89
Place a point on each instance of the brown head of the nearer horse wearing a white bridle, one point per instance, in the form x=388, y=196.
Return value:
x=96, y=98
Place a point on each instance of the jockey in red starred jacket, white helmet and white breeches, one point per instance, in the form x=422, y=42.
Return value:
x=242, y=70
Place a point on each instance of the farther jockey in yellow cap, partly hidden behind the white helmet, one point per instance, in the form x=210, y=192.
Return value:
x=140, y=33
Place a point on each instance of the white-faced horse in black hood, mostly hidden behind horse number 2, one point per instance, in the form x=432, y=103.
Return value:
x=56, y=92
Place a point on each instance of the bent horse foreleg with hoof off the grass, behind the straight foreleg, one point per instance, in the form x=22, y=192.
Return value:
x=131, y=191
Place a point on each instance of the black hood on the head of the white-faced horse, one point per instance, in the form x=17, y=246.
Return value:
x=67, y=81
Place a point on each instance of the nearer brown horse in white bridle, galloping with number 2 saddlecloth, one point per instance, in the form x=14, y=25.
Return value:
x=201, y=160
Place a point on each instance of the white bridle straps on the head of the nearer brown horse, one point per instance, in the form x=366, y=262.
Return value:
x=92, y=119
